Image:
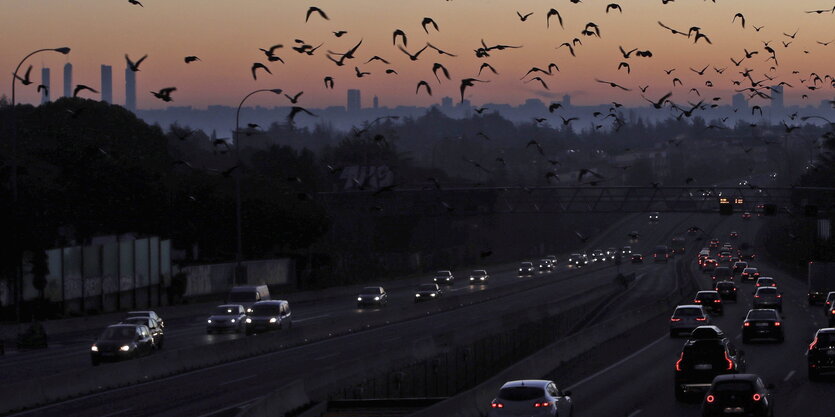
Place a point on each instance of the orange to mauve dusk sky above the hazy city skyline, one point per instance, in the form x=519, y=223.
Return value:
x=226, y=35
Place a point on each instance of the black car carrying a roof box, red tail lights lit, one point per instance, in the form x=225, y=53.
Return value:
x=705, y=355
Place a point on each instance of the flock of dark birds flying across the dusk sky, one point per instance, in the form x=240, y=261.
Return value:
x=749, y=82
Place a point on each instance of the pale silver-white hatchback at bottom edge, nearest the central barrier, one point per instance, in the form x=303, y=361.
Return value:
x=531, y=397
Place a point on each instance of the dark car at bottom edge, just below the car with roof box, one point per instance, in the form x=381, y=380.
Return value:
x=738, y=394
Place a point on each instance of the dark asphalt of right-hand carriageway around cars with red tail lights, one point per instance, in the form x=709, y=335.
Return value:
x=639, y=382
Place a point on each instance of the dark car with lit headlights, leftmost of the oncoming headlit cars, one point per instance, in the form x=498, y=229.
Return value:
x=120, y=342
